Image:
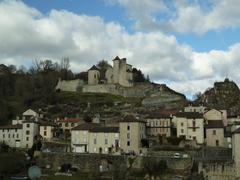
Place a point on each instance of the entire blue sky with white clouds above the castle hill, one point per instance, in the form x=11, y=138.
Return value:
x=186, y=44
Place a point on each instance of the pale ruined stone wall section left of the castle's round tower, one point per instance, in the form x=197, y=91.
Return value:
x=71, y=85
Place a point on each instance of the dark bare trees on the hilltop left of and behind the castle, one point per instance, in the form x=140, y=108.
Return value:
x=35, y=87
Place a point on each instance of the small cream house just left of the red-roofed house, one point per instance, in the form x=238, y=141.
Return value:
x=48, y=131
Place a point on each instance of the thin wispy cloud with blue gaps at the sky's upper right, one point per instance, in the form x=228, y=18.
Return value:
x=183, y=16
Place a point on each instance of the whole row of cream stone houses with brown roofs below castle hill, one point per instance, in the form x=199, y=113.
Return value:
x=195, y=123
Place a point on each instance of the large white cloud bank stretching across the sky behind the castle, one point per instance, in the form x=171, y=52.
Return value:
x=26, y=34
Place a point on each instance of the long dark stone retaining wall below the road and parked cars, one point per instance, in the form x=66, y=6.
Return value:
x=91, y=162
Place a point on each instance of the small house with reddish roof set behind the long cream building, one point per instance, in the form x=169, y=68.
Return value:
x=65, y=125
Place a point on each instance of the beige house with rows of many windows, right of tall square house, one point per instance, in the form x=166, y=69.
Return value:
x=158, y=124
